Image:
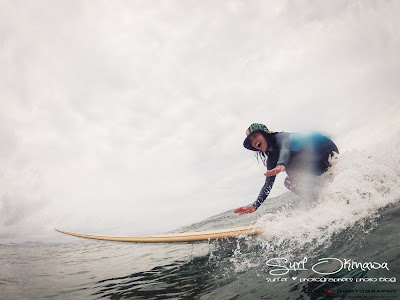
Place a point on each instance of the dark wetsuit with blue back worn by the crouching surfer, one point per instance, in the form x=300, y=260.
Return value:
x=299, y=153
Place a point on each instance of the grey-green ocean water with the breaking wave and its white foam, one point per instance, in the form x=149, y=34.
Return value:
x=343, y=245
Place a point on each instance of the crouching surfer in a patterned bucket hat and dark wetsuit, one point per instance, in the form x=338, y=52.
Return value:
x=299, y=155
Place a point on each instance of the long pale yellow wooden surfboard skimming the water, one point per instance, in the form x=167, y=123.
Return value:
x=175, y=237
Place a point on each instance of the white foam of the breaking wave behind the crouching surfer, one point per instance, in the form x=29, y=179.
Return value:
x=355, y=188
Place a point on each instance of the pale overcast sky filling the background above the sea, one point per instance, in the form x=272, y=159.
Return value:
x=127, y=117
